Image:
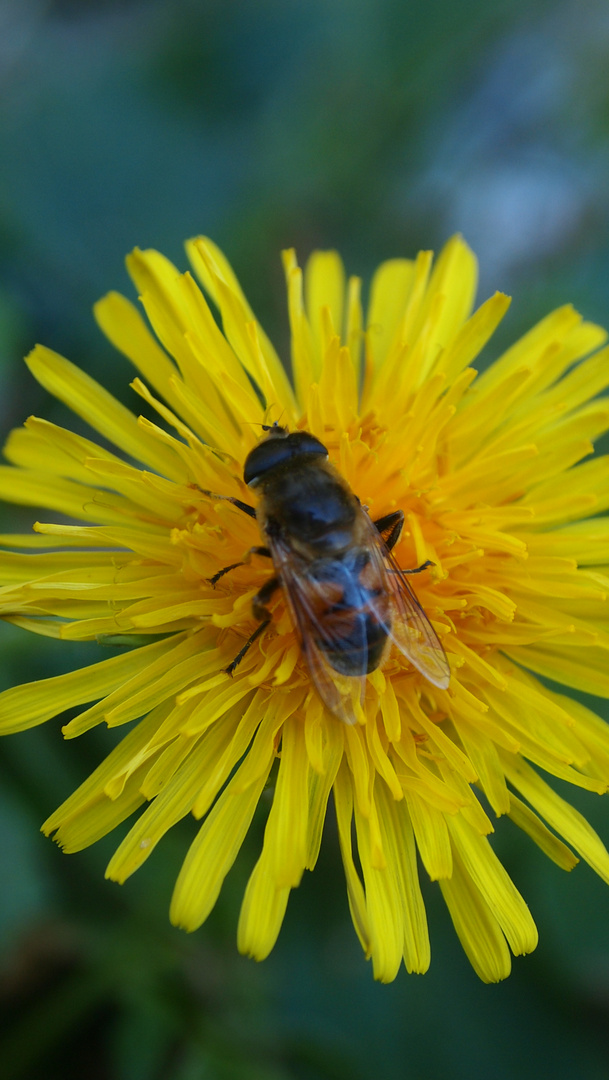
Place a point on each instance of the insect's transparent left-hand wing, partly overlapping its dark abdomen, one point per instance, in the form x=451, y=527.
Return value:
x=326, y=629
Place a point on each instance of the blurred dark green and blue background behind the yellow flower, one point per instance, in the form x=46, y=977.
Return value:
x=376, y=127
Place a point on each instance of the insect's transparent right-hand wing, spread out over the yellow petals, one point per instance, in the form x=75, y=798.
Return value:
x=409, y=627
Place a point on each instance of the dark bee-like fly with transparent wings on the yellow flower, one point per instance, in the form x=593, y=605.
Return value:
x=348, y=598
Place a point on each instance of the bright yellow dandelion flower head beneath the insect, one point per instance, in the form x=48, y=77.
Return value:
x=486, y=471
